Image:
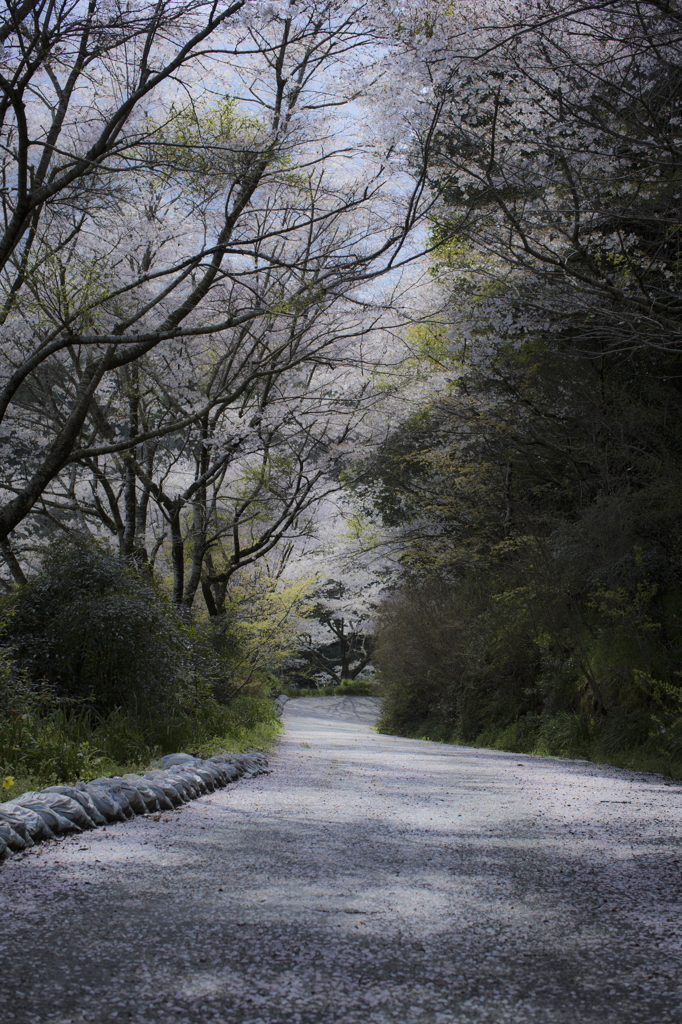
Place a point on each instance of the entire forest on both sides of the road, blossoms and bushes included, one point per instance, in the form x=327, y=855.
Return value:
x=339, y=334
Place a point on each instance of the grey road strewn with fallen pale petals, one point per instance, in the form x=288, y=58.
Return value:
x=369, y=879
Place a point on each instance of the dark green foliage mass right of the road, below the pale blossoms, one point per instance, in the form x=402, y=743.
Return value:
x=541, y=609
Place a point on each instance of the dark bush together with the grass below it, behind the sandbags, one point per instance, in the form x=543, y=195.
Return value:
x=99, y=672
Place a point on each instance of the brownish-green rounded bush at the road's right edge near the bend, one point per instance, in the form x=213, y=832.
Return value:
x=453, y=664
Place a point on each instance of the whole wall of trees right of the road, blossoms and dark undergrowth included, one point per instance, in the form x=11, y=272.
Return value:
x=538, y=489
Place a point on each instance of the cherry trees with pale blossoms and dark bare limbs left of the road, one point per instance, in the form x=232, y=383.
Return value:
x=182, y=206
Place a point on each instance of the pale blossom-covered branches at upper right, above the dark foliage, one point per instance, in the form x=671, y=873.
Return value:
x=559, y=164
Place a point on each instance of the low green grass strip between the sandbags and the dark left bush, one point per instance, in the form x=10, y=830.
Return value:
x=72, y=744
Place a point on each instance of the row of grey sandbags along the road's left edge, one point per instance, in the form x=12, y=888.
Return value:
x=61, y=809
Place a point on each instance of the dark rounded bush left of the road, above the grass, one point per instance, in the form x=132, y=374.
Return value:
x=99, y=631
